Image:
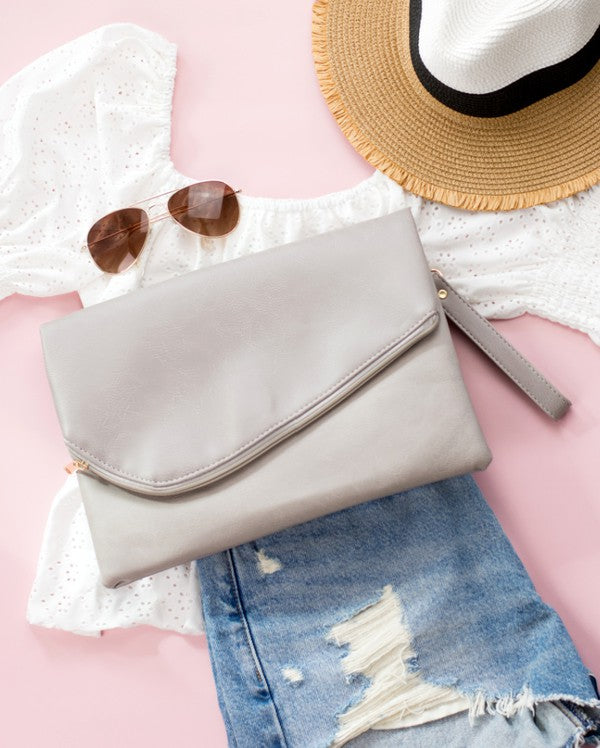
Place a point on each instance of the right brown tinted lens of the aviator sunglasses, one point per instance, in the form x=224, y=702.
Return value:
x=207, y=208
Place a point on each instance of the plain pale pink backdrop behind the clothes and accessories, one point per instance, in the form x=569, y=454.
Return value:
x=248, y=109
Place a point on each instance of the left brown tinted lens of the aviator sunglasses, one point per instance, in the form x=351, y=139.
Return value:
x=116, y=240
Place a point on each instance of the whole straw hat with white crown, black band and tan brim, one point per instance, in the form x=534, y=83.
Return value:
x=484, y=105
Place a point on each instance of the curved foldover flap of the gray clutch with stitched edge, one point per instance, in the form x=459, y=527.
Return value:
x=179, y=384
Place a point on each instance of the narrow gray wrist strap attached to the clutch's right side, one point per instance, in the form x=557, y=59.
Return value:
x=500, y=351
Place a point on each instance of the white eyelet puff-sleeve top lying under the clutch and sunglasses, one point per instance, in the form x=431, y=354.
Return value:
x=85, y=130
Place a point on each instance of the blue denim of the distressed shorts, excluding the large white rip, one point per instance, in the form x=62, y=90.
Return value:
x=475, y=620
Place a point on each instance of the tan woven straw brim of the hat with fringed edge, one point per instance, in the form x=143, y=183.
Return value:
x=544, y=152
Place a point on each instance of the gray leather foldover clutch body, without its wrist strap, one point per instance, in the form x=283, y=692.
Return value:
x=235, y=401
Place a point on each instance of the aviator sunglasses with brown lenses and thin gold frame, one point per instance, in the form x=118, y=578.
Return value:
x=207, y=208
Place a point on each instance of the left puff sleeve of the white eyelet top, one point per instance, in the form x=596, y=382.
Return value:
x=81, y=130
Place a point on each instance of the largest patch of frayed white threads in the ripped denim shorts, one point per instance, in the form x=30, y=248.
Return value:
x=379, y=647
